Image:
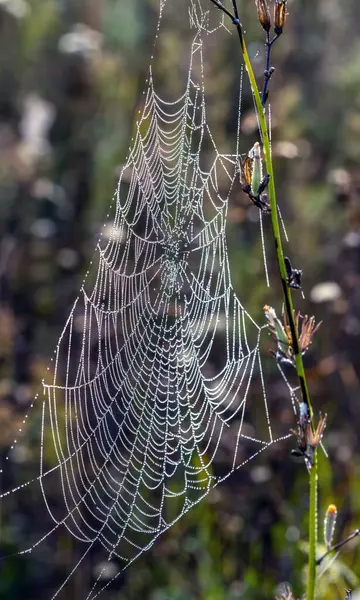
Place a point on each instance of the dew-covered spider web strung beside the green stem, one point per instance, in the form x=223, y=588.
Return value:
x=136, y=406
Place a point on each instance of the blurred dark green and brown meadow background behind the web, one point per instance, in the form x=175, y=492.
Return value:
x=71, y=78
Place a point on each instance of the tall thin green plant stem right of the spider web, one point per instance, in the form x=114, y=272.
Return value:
x=313, y=478
